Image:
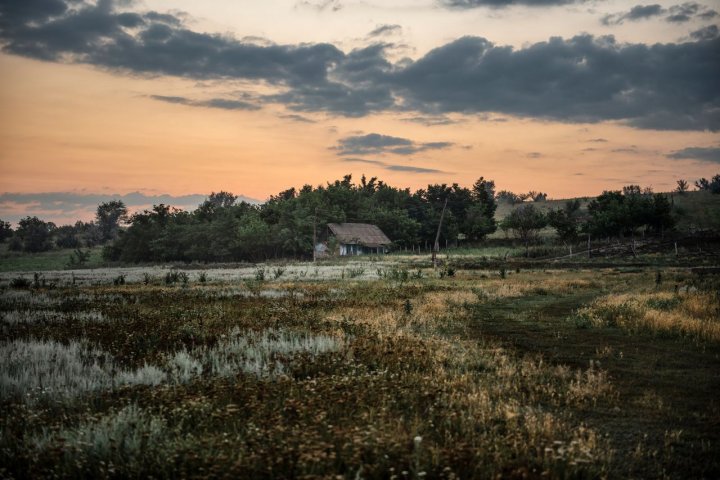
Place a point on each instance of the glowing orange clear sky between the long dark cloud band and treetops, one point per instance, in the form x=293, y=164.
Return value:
x=79, y=128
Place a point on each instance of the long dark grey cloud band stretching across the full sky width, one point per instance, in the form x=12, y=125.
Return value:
x=582, y=79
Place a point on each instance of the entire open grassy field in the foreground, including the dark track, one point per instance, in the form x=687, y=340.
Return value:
x=360, y=371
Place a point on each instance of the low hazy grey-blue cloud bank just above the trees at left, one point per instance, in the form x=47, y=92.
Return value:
x=66, y=207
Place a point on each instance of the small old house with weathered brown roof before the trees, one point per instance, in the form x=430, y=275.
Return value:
x=354, y=239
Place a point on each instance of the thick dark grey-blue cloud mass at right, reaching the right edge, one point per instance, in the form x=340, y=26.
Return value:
x=583, y=79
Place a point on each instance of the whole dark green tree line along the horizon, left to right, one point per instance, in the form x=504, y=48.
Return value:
x=222, y=229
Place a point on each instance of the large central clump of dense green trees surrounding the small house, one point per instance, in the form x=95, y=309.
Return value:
x=221, y=229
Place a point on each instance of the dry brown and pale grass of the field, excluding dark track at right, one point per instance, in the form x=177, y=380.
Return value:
x=316, y=380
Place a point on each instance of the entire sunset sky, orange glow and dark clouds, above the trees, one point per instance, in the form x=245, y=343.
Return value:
x=165, y=101
